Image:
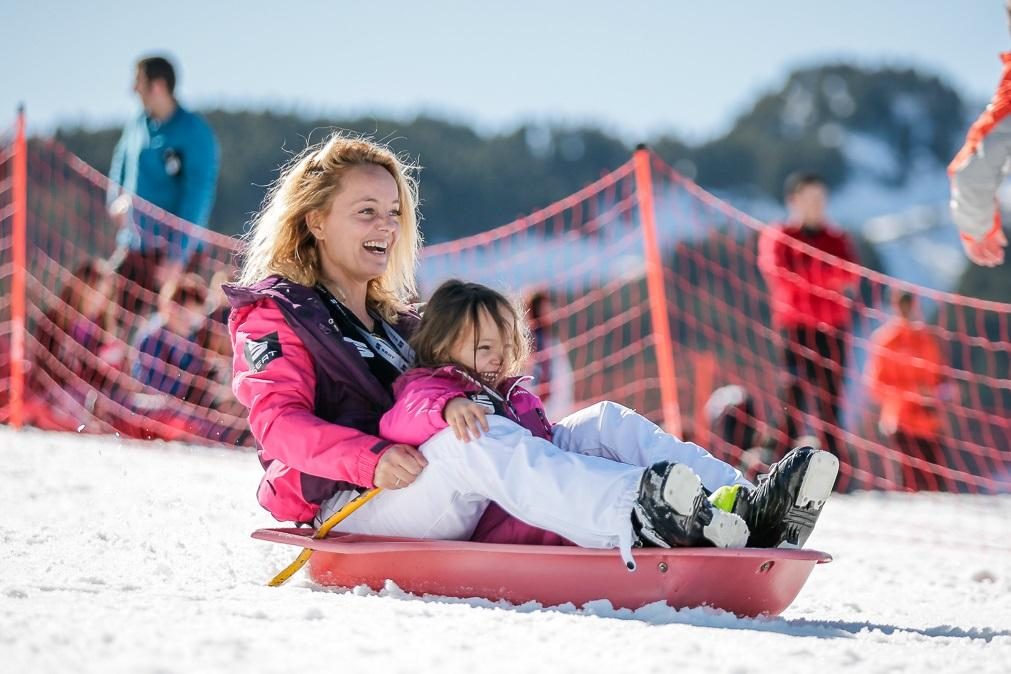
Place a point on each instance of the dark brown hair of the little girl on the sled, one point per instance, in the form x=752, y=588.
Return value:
x=453, y=310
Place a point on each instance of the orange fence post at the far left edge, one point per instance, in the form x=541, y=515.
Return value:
x=18, y=300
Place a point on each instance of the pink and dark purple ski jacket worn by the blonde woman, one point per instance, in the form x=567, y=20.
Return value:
x=315, y=407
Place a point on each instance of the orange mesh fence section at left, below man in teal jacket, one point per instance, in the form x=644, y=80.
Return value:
x=116, y=343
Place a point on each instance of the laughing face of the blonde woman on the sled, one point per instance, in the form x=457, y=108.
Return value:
x=357, y=236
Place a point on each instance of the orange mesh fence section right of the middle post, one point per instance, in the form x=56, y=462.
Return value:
x=906, y=405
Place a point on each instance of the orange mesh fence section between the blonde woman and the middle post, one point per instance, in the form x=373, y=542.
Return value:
x=587, y=253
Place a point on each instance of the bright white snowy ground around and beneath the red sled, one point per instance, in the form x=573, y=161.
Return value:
x=137, y=558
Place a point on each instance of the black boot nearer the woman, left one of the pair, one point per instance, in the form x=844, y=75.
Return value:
x=673, y=512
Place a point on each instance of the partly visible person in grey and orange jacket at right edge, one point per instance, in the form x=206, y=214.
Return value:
x=978, y=171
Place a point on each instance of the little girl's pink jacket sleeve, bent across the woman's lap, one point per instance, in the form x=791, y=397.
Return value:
x=418, y=413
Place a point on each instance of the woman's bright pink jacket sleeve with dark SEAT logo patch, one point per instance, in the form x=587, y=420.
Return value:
x=281, y=401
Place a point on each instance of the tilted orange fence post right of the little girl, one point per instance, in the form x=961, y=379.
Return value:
x=658, y=295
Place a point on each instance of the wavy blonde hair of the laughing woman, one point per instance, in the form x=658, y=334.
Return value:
x=280, y=241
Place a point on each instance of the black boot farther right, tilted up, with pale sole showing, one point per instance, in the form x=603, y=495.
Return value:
x=783, y=510
